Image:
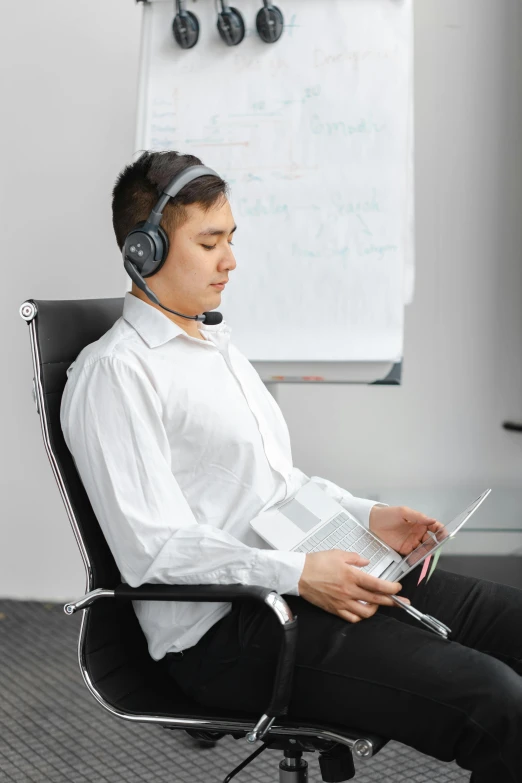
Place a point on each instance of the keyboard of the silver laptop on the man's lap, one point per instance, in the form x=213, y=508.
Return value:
x=343, y=533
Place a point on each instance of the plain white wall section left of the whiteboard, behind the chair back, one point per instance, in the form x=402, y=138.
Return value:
x=69, y=73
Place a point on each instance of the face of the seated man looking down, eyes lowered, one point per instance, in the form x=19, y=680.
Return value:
x=200, y=254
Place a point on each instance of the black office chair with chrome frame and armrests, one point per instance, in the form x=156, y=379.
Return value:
x=112, y=650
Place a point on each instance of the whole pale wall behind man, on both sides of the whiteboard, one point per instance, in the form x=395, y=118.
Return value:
x=69, y=73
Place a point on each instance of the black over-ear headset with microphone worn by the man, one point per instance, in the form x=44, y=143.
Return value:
x=146, y=246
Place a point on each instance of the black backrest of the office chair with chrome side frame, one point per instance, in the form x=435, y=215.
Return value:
x=113, y=650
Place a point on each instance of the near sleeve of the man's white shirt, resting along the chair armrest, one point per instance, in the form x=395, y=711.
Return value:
x=113, y=427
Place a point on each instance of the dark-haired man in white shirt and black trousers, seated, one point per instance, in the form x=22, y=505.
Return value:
x=179, y=445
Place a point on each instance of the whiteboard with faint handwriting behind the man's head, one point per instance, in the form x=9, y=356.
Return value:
x=314, y=136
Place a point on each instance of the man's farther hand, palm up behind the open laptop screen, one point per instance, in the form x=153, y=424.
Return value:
x=402, y=528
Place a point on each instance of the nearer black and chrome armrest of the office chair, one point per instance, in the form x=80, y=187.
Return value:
x=285, y=665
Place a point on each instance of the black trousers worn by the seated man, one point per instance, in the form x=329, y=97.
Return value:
x=453, y=699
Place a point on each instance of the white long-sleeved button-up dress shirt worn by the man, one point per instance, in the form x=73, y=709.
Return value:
x=179, y=444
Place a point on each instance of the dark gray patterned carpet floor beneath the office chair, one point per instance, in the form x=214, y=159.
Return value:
x=53, y=730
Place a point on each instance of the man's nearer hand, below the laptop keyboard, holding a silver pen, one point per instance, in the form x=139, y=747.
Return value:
x=333, y=580
